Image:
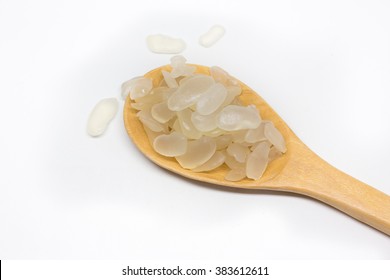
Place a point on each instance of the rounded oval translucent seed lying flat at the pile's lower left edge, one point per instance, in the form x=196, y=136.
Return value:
x=174, y=144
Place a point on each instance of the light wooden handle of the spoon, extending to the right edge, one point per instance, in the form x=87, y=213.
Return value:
x=310, y=175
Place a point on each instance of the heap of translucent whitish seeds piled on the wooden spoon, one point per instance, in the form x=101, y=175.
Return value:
x=200, y=121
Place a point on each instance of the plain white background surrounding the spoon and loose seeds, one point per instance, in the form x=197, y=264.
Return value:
x=324, y=66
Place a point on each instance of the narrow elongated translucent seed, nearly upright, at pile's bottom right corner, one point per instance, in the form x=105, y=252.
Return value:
x=257, y=161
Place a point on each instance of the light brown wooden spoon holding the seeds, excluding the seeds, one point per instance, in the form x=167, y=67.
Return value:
x=299, y=170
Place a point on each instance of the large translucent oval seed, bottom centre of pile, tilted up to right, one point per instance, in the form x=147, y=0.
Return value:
x=198, y=152
